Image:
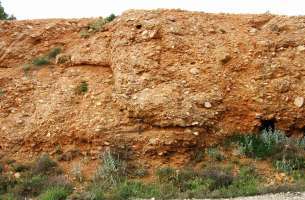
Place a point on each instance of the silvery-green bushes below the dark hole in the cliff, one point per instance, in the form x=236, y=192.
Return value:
x=287, y=154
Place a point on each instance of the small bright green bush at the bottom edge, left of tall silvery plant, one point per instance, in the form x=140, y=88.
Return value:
x=55, y=193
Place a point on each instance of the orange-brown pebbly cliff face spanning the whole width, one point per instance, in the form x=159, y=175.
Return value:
x=164, y=82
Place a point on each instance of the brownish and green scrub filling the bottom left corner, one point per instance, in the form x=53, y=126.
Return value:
x=34, y=179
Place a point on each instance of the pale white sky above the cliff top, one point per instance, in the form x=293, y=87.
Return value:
x=38, y=9
